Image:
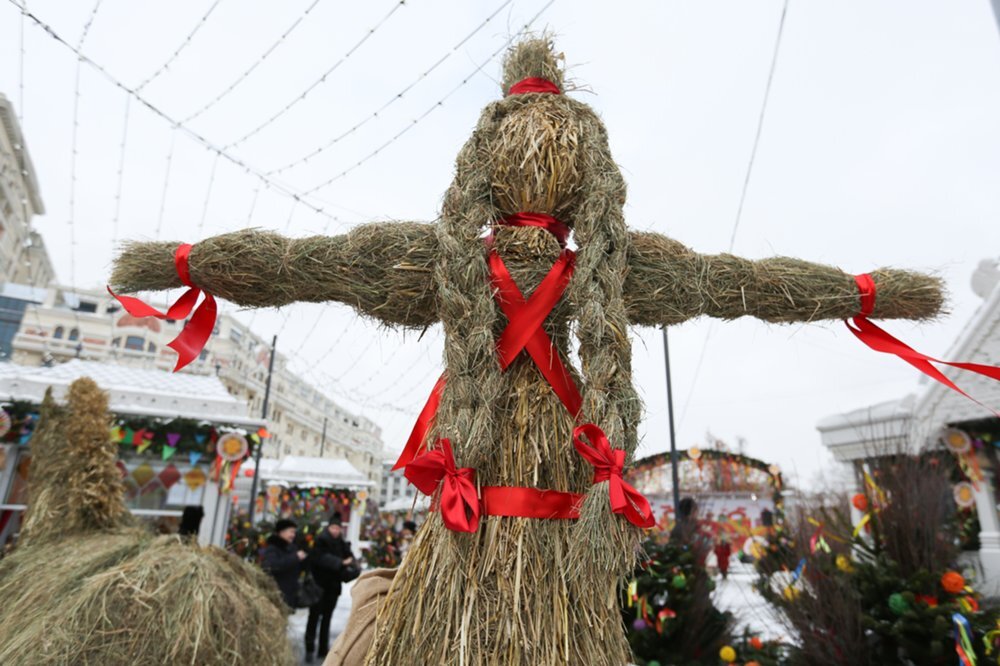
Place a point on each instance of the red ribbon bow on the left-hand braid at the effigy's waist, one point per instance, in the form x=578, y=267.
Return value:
x=459, y=501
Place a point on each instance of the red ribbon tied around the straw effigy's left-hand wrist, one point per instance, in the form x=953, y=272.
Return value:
x=196, y=332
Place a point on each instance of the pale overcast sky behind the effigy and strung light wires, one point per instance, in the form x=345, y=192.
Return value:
x=881, y=147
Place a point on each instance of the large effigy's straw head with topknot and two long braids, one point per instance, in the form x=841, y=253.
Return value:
x=541, y=153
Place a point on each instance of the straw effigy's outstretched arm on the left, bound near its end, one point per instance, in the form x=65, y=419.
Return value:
x=384, y=270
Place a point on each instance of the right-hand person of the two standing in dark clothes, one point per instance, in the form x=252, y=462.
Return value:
x=330, y=554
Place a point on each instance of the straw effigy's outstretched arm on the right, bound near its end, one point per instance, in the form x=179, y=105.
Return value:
x=668, y=283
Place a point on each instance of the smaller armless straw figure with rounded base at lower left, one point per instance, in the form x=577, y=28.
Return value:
x=87, y=586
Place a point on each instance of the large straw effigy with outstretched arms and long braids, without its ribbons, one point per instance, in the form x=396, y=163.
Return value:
x=520, y=590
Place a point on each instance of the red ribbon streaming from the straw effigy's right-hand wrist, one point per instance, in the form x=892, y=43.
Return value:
x=877, y=339
